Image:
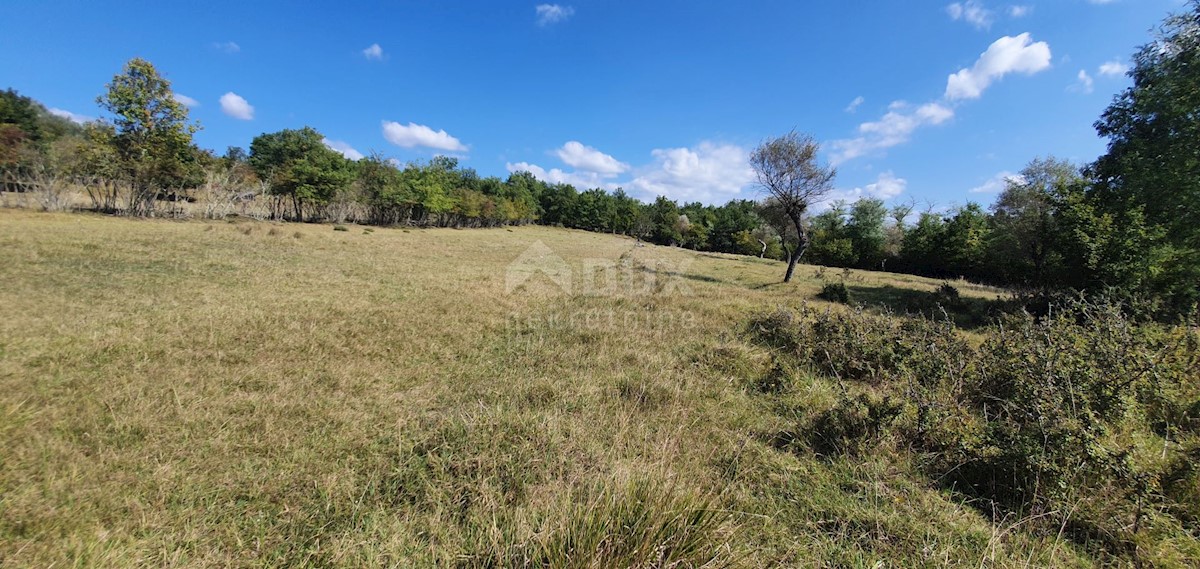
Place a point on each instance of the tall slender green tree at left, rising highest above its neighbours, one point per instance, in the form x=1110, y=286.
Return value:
x=153, y=136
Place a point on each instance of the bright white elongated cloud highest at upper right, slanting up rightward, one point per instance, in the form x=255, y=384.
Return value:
x=1006, y=56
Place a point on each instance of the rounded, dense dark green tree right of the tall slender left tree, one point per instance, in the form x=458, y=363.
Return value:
x=296, y=164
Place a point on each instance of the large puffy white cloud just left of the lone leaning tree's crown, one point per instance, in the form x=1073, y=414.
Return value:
x=710, y=173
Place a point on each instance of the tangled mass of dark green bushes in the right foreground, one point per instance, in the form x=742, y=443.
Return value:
x=1082, y=420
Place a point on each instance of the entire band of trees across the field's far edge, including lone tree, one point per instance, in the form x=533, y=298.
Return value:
x=1126, y=226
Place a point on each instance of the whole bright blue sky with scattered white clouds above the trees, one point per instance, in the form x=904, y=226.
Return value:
x=926, y=101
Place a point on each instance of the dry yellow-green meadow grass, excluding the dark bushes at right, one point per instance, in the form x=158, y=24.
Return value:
x=254, y=394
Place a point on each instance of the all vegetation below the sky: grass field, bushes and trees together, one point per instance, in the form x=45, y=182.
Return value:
x=551, y=391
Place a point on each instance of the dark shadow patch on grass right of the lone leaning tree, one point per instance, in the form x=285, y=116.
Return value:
x=967, y=313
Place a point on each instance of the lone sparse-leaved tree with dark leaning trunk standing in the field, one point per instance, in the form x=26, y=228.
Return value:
x=788, y=169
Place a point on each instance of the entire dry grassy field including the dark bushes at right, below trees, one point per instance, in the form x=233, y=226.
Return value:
x=260, y=394
